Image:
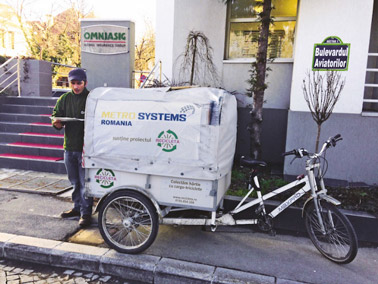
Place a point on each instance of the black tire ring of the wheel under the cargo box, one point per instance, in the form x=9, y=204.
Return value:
x=151, y=211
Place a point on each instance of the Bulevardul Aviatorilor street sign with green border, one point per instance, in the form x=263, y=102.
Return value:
x=331, y=55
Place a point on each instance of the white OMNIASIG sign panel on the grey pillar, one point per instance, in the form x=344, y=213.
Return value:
x=105, y=39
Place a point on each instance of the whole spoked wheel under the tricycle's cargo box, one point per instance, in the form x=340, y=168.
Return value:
x=128, y=222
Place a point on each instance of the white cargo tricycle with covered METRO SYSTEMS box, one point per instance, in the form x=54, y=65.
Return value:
x=148, y=153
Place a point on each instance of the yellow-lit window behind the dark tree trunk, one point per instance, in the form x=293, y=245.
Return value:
x=243, y=29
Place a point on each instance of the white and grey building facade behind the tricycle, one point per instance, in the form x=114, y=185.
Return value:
x=344, y=30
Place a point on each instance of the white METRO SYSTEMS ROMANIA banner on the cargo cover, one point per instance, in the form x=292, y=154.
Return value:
x=147, y=129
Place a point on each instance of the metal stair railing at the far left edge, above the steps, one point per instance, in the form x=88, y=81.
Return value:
x=11, y=73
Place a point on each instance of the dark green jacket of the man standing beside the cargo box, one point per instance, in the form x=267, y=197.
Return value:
x=72, y=105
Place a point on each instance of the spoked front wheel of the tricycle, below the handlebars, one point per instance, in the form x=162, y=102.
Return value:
x=338, y=242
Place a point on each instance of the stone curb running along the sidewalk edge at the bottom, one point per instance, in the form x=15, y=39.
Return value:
x=141, y=267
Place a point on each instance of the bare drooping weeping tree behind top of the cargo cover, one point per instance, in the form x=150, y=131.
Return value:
x=197, y=61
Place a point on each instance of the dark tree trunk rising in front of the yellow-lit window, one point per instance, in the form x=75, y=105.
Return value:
x=259, y=89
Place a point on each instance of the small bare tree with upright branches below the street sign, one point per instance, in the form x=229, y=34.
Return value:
x=321, y=93
